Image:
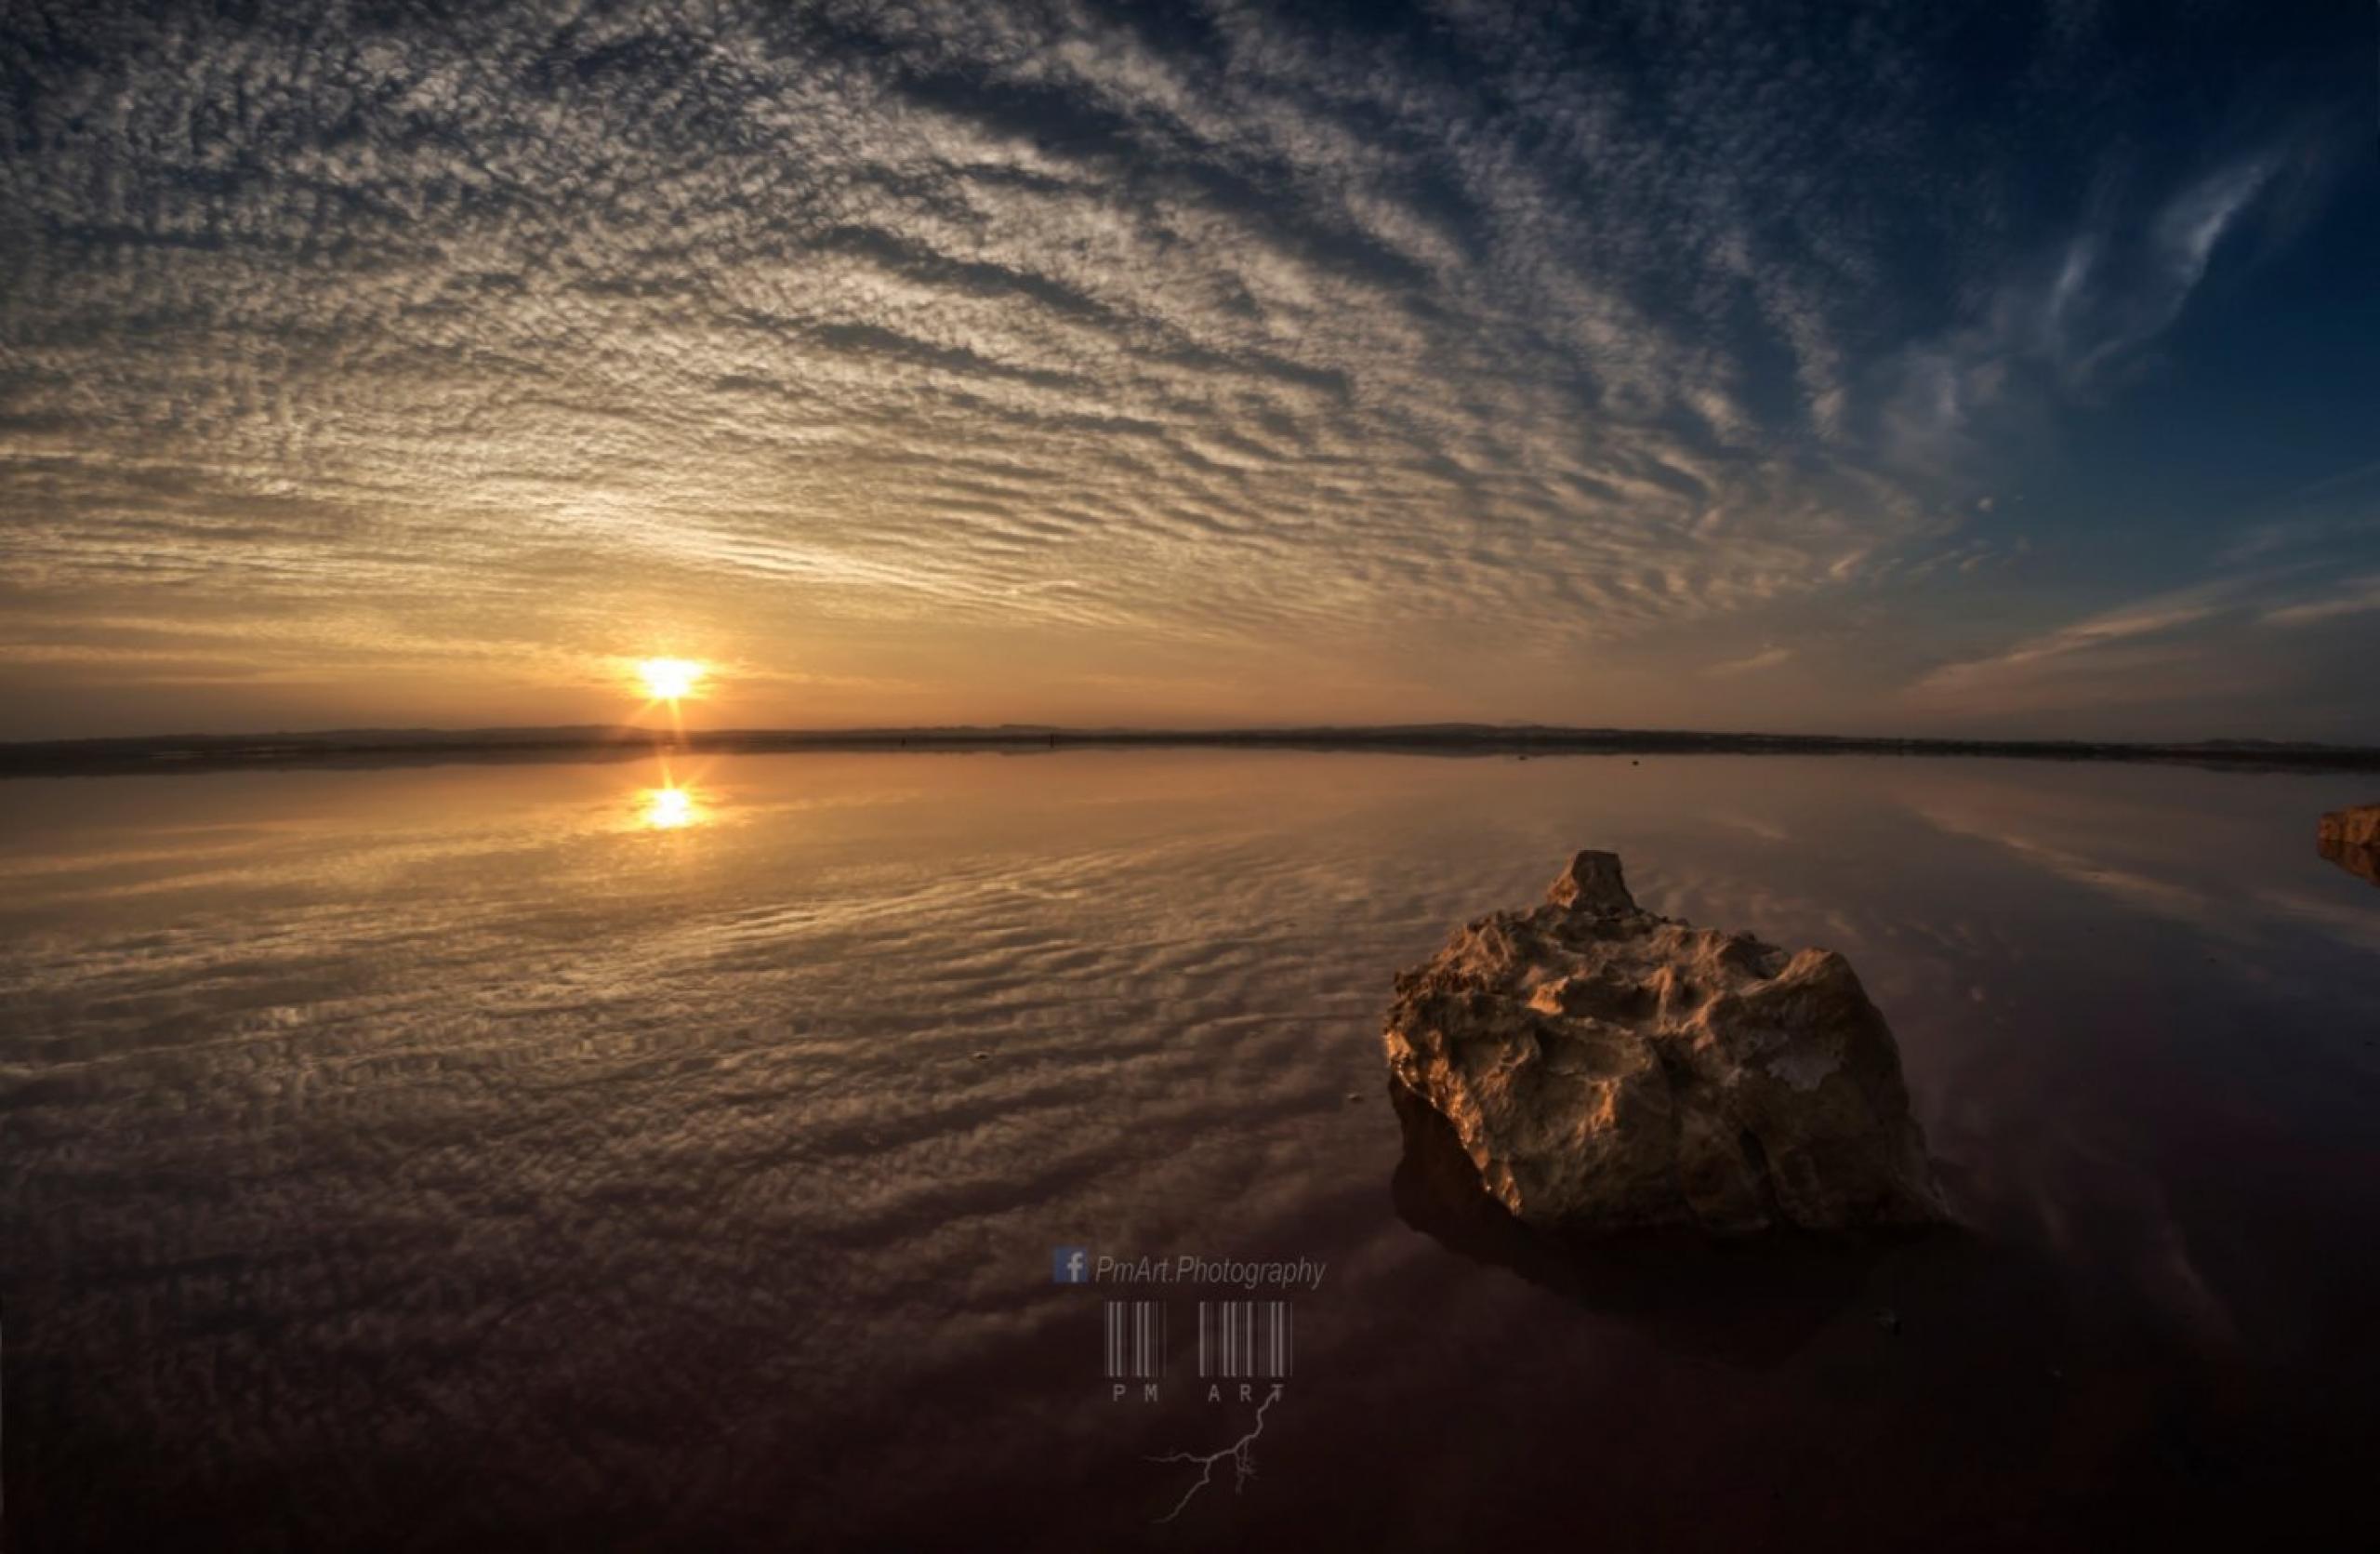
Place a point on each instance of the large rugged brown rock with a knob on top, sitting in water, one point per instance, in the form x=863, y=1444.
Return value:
x=1608, y=1070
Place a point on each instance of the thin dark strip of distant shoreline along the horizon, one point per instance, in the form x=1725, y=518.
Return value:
x=434, y=746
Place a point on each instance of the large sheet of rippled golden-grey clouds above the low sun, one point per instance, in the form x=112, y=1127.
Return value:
x=972, y=330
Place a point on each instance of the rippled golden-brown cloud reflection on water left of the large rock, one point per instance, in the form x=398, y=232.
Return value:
x=660, y=1089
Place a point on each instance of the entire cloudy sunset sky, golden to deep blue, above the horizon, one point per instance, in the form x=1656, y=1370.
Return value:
x=1800, y=368
